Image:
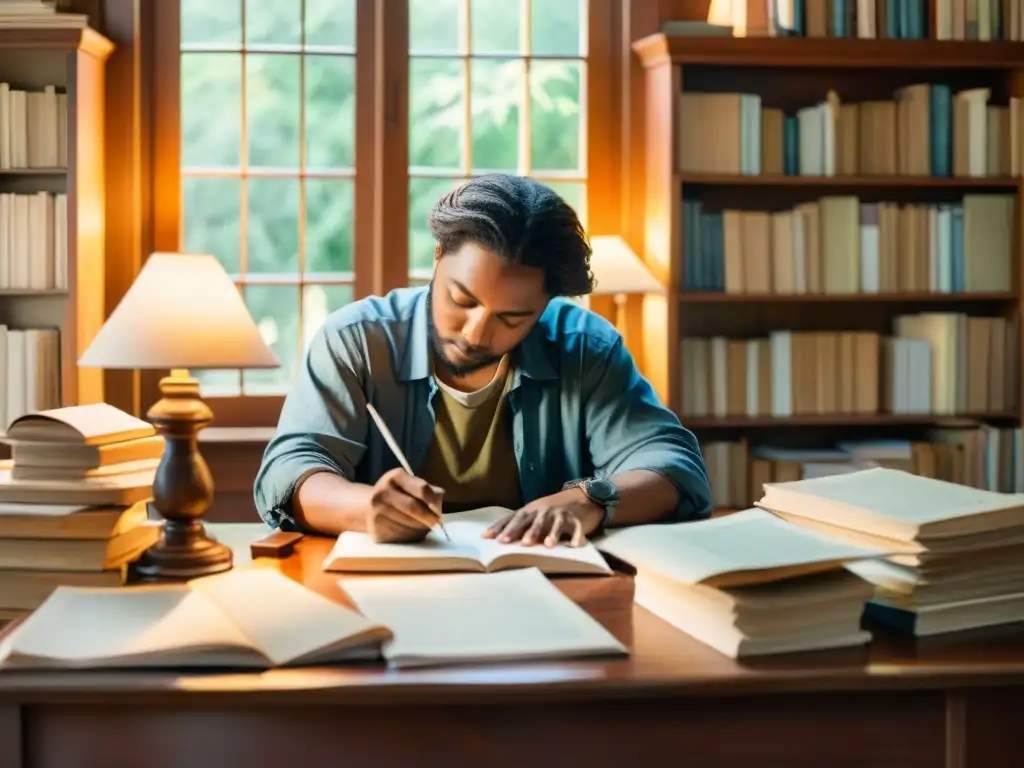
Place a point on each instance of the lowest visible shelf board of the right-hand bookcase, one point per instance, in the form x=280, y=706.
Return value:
x=846, y=420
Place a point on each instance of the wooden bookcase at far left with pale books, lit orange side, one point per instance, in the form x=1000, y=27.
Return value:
x=53, y=209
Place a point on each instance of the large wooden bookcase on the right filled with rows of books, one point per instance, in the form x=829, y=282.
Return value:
x=912, y=215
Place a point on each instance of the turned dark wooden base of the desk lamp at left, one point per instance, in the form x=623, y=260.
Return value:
x=183, y=489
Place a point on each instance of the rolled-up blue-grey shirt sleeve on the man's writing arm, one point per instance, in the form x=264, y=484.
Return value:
x=323, y=424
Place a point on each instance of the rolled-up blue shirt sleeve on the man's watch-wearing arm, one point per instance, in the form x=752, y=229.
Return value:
x=628, y=430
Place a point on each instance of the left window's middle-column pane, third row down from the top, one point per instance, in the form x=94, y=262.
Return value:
x=273, y=229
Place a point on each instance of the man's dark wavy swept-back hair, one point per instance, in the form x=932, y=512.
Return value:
x=522, y=221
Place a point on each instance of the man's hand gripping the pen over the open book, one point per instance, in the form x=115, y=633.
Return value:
x=403, y=508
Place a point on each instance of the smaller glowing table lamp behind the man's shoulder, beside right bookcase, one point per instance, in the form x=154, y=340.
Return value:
x=622, y=276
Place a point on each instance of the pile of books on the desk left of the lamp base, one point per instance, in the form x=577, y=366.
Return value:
x=73, y=501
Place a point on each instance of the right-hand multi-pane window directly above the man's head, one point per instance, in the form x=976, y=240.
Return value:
x=494, y=86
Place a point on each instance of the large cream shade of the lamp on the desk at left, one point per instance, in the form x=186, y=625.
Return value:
x=183, y=312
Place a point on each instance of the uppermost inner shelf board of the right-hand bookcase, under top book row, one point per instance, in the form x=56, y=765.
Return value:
x=865, y=182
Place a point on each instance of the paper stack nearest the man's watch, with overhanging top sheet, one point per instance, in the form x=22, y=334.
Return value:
x=748, y=584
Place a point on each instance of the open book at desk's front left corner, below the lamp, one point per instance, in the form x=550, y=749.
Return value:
x=243, y=619
